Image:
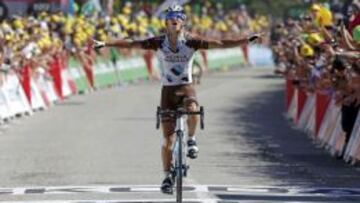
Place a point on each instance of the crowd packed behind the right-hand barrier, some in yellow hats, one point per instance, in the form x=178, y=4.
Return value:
x=320, y=52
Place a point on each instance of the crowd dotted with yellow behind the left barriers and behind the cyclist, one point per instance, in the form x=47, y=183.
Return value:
x=38, y=39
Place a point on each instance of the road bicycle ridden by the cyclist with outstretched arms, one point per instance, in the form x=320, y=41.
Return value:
x=179, y=167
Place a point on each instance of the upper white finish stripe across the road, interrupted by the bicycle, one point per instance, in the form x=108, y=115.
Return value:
x=202, y=190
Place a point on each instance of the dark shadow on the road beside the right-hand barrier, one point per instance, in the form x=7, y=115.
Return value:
x=283, y=153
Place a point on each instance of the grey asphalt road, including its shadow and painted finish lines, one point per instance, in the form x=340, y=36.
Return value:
x=103, y=147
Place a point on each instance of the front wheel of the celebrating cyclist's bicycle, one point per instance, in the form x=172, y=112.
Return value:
x=179, y=168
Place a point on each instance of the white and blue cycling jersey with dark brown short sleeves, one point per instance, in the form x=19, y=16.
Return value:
x=176, y=64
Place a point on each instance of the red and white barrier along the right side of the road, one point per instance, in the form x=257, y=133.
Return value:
x=319, y=116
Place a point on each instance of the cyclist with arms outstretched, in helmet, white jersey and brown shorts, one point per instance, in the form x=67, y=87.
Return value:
x=176, y=49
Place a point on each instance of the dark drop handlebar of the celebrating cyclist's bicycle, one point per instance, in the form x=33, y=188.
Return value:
x=178, y=113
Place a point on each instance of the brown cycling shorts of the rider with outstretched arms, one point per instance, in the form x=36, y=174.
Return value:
x=173, y=97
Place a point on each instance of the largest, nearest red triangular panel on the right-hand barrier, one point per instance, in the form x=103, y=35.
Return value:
x=322, y=103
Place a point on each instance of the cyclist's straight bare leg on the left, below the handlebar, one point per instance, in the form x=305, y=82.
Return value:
x=166, y=149
